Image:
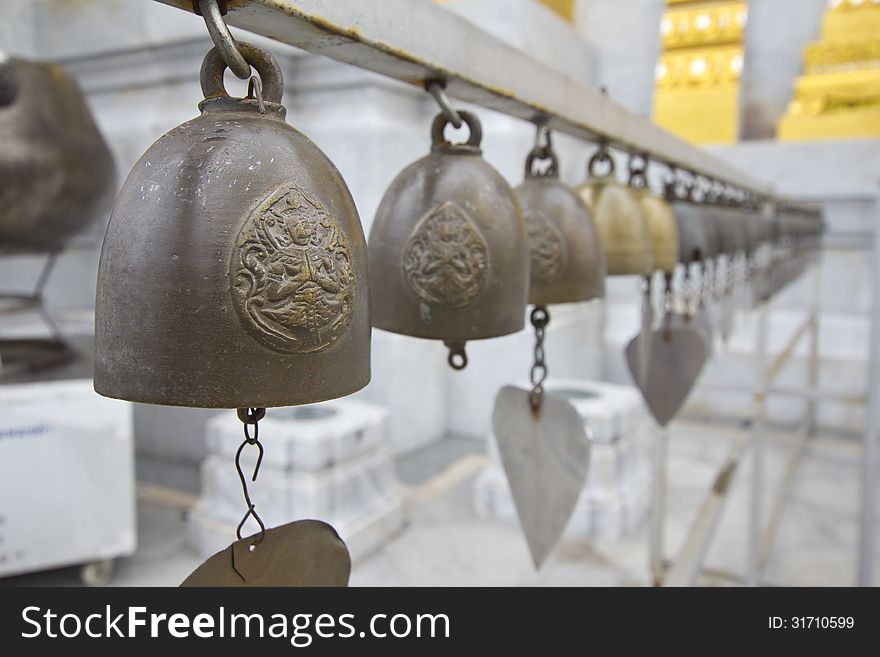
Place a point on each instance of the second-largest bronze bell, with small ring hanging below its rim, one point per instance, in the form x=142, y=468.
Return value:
x=448, y=253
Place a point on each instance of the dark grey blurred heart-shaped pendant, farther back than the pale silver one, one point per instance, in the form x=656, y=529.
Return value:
x=679, y=350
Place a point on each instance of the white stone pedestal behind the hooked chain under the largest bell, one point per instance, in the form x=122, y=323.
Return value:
x=325, y=461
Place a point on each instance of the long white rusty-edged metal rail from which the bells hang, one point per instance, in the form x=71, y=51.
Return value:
x=417, y=41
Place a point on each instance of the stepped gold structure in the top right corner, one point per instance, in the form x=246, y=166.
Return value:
x=839, y=93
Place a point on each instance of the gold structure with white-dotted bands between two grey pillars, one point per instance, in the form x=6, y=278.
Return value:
x=699, y=69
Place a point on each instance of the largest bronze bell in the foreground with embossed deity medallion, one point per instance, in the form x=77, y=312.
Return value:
x=234, y=269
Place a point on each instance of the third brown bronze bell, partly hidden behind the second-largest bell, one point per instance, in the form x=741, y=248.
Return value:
x=566, y=258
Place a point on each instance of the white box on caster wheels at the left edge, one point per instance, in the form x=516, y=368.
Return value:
x=67, y=494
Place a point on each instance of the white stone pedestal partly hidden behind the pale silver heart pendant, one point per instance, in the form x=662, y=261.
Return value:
x=617, y=493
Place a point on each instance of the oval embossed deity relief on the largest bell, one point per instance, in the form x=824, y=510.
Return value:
x=292, y=279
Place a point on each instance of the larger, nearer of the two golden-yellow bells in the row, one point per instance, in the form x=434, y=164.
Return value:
x=619, y=219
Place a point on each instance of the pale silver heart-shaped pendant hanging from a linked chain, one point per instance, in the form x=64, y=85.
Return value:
x=546, y=457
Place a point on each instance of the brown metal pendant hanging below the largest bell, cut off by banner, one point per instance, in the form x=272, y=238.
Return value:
x=302, y=553
